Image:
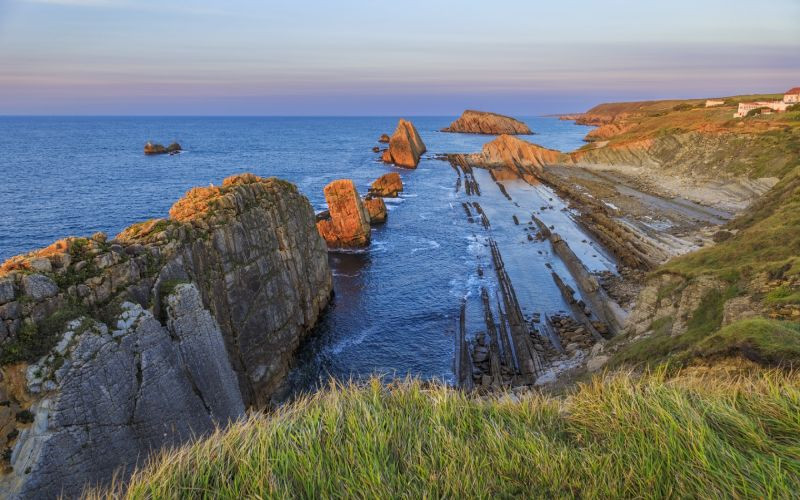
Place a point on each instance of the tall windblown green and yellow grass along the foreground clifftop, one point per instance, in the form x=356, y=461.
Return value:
x=615, y=437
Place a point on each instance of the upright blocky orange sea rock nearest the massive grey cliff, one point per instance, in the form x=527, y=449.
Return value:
x=347, y=225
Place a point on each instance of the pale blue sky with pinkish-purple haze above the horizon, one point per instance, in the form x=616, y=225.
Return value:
x=413, y=57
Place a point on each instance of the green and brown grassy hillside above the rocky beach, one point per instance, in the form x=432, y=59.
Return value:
x=766, y=249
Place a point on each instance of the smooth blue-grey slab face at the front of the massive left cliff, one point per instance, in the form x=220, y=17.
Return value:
x=121, y=393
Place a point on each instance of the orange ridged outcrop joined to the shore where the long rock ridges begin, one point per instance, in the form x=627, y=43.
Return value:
x=521, y=157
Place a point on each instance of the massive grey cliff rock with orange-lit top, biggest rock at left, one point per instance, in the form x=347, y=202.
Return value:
x=155, y=337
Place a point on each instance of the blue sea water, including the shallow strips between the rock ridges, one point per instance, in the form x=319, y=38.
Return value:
x=395, y=305
